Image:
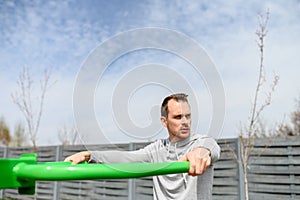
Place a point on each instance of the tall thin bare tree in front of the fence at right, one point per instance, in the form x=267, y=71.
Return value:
x=254, y=126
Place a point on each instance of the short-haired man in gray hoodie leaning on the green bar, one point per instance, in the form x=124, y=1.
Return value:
x=200, y=151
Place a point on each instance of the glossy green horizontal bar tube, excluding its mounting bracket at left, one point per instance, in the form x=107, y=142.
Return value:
x=58, y=171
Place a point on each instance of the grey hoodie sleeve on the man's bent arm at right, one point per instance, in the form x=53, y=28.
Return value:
x=210, y=144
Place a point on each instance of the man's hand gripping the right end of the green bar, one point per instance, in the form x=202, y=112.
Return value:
x=199, y=159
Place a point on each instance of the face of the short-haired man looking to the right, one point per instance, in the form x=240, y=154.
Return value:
x=178, y=121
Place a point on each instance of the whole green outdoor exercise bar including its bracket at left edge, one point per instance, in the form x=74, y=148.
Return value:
x=22, y=172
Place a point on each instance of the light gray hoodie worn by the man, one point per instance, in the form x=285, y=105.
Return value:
x=172, y=186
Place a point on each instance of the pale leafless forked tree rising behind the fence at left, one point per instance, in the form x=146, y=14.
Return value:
x=26, y=103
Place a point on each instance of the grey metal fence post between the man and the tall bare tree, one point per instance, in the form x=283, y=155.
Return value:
x=240, y=170
